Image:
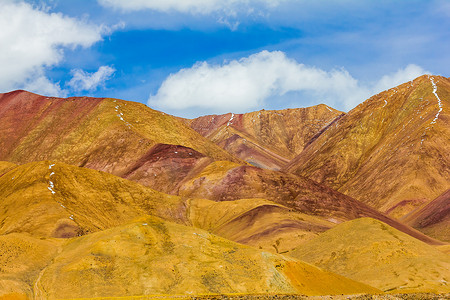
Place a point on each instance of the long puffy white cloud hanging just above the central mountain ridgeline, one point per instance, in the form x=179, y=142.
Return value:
x=248, y=83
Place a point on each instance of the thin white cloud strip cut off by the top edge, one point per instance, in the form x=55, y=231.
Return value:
x=229, y=7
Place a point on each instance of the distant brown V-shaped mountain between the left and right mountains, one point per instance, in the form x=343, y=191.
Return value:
x=266, y=138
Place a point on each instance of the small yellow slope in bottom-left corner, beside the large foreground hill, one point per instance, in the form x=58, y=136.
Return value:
x=22, y=257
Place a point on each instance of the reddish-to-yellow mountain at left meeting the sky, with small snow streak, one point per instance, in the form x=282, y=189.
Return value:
x=110, y=135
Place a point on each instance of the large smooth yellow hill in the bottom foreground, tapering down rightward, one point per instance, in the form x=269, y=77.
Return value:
x=152, y=257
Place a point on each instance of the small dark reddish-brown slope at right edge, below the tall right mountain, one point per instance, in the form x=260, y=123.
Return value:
x=434, y=218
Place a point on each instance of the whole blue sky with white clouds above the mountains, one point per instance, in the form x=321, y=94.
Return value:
x=195, y=57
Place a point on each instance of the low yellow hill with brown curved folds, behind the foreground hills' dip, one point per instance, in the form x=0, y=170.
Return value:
x=256, y=222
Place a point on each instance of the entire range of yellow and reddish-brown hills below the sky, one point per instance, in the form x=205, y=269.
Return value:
x=106, y=198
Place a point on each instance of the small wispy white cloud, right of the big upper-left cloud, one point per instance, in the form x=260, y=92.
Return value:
x=84, y=81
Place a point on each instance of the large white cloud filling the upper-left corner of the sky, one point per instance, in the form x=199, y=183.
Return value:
x=32, y=39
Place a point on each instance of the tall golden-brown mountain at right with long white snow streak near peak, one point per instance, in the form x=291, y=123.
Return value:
x=391, y=151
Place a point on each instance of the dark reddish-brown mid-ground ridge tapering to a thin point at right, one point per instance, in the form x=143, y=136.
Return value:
x=226, y=181
